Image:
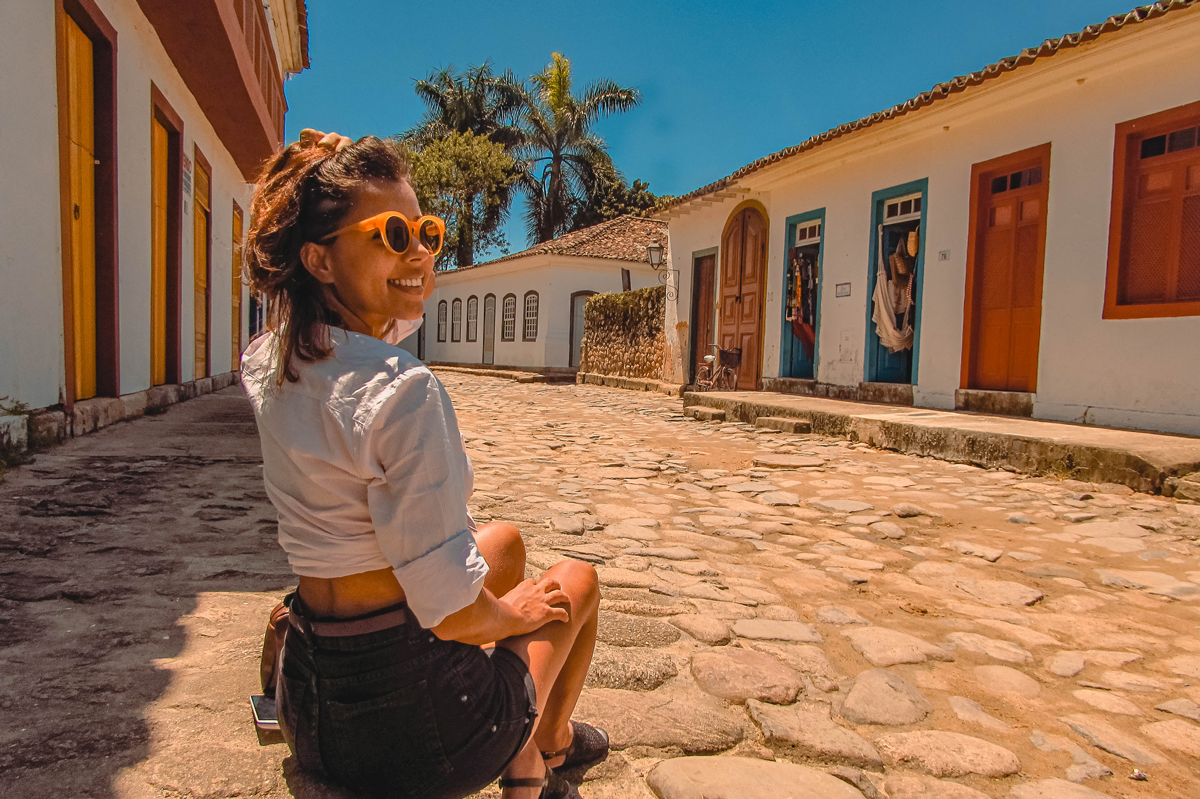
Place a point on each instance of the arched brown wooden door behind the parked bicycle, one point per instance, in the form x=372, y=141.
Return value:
x=743, y=273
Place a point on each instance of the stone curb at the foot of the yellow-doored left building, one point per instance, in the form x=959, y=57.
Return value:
x=53, y=425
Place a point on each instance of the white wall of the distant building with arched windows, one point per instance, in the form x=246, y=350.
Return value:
x=554, y=278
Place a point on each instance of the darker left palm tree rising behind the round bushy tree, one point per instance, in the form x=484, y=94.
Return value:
x=475, y=101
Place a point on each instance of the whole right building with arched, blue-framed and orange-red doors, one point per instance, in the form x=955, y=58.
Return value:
x=1025, y=241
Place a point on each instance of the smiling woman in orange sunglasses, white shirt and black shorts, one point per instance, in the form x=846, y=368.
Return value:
x=389, y=684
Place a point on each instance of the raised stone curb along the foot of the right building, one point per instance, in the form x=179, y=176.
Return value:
x=989, y=449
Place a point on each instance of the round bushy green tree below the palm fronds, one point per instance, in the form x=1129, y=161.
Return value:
x=465, y=179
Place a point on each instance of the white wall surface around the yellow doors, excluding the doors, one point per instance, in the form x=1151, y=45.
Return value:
x=32, y=345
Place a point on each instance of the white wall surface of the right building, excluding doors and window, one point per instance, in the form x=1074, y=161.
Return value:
x=1123, y=373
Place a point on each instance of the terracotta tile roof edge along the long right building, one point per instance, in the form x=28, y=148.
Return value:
x=944, y=91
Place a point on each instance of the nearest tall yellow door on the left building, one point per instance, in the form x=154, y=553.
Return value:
x=82, y=146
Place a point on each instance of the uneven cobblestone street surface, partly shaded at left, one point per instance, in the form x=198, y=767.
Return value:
x=783, y=616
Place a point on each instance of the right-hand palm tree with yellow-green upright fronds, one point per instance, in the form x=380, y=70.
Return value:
x=566, y=164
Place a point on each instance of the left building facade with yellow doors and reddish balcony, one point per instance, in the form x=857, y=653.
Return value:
x=131, y=133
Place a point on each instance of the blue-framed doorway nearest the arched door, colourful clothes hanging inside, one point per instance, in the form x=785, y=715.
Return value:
x=802, y=296
